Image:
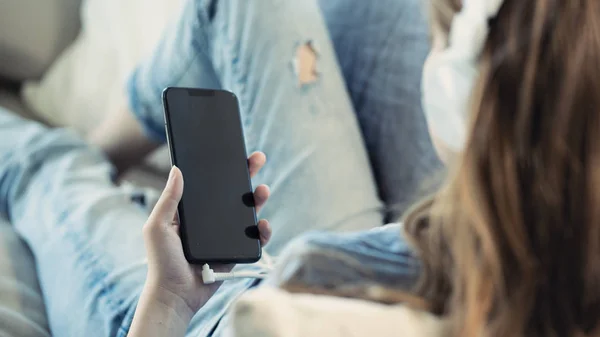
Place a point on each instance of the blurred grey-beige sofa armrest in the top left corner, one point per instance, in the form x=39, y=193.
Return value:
x=33, y=33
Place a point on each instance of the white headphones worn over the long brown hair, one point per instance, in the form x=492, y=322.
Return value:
x=451, y=71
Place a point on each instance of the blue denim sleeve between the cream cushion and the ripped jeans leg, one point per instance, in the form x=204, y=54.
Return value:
x=328, y=260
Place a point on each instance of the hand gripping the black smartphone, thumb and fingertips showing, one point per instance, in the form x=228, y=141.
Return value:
x=171, y=279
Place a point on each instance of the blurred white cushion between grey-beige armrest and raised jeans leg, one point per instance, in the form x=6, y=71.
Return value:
x=90, y=75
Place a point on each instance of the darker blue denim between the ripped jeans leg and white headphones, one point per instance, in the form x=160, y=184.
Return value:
x=381, y=47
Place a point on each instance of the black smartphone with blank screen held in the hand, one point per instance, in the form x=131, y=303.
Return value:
x=206, y=140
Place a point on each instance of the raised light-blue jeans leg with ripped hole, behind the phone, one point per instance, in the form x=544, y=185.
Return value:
x=318, y=168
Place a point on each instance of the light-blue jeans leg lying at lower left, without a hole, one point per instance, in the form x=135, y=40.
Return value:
x=85, y=233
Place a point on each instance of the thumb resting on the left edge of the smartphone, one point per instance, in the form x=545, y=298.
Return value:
x=165, y=209
